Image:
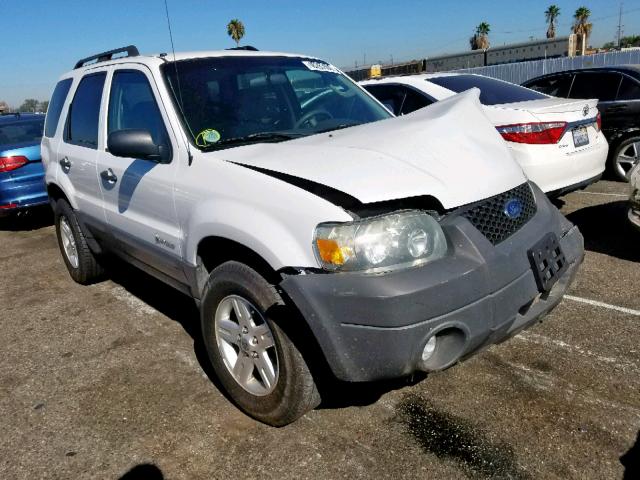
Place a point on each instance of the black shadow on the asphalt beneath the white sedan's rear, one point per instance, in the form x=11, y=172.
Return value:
x=606, y=229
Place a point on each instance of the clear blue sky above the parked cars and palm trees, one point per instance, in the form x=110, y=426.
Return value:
x=42, y=39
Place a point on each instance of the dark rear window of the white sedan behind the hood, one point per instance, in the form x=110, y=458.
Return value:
x=492, y=91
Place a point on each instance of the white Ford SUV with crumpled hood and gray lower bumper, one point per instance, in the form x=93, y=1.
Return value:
x=313, y=229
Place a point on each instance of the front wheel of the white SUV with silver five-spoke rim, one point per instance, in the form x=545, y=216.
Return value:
x=289, y=391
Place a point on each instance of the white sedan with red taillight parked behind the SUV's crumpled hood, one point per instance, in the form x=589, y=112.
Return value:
x=557, y=141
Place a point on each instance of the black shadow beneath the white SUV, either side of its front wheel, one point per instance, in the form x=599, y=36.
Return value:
x=182, y=309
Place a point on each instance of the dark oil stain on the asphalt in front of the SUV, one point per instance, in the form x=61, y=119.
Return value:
x=448, y=436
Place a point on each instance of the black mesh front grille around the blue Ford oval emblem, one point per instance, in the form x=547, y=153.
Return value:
x=491, y=218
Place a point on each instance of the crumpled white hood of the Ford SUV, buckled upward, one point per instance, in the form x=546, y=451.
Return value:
x=448, y=150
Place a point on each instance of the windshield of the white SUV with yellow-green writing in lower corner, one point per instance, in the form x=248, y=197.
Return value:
x=245, y=99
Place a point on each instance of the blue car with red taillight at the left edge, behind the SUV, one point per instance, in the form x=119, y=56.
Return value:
x=21, y=173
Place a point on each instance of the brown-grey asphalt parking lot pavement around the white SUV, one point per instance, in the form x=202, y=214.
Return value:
x=110, y=381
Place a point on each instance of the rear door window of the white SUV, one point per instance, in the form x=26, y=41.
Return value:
x=84, y=112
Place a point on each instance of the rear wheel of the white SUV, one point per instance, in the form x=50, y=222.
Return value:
x=83, y=266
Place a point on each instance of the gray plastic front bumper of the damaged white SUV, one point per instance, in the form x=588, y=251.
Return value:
x=375, y=326
